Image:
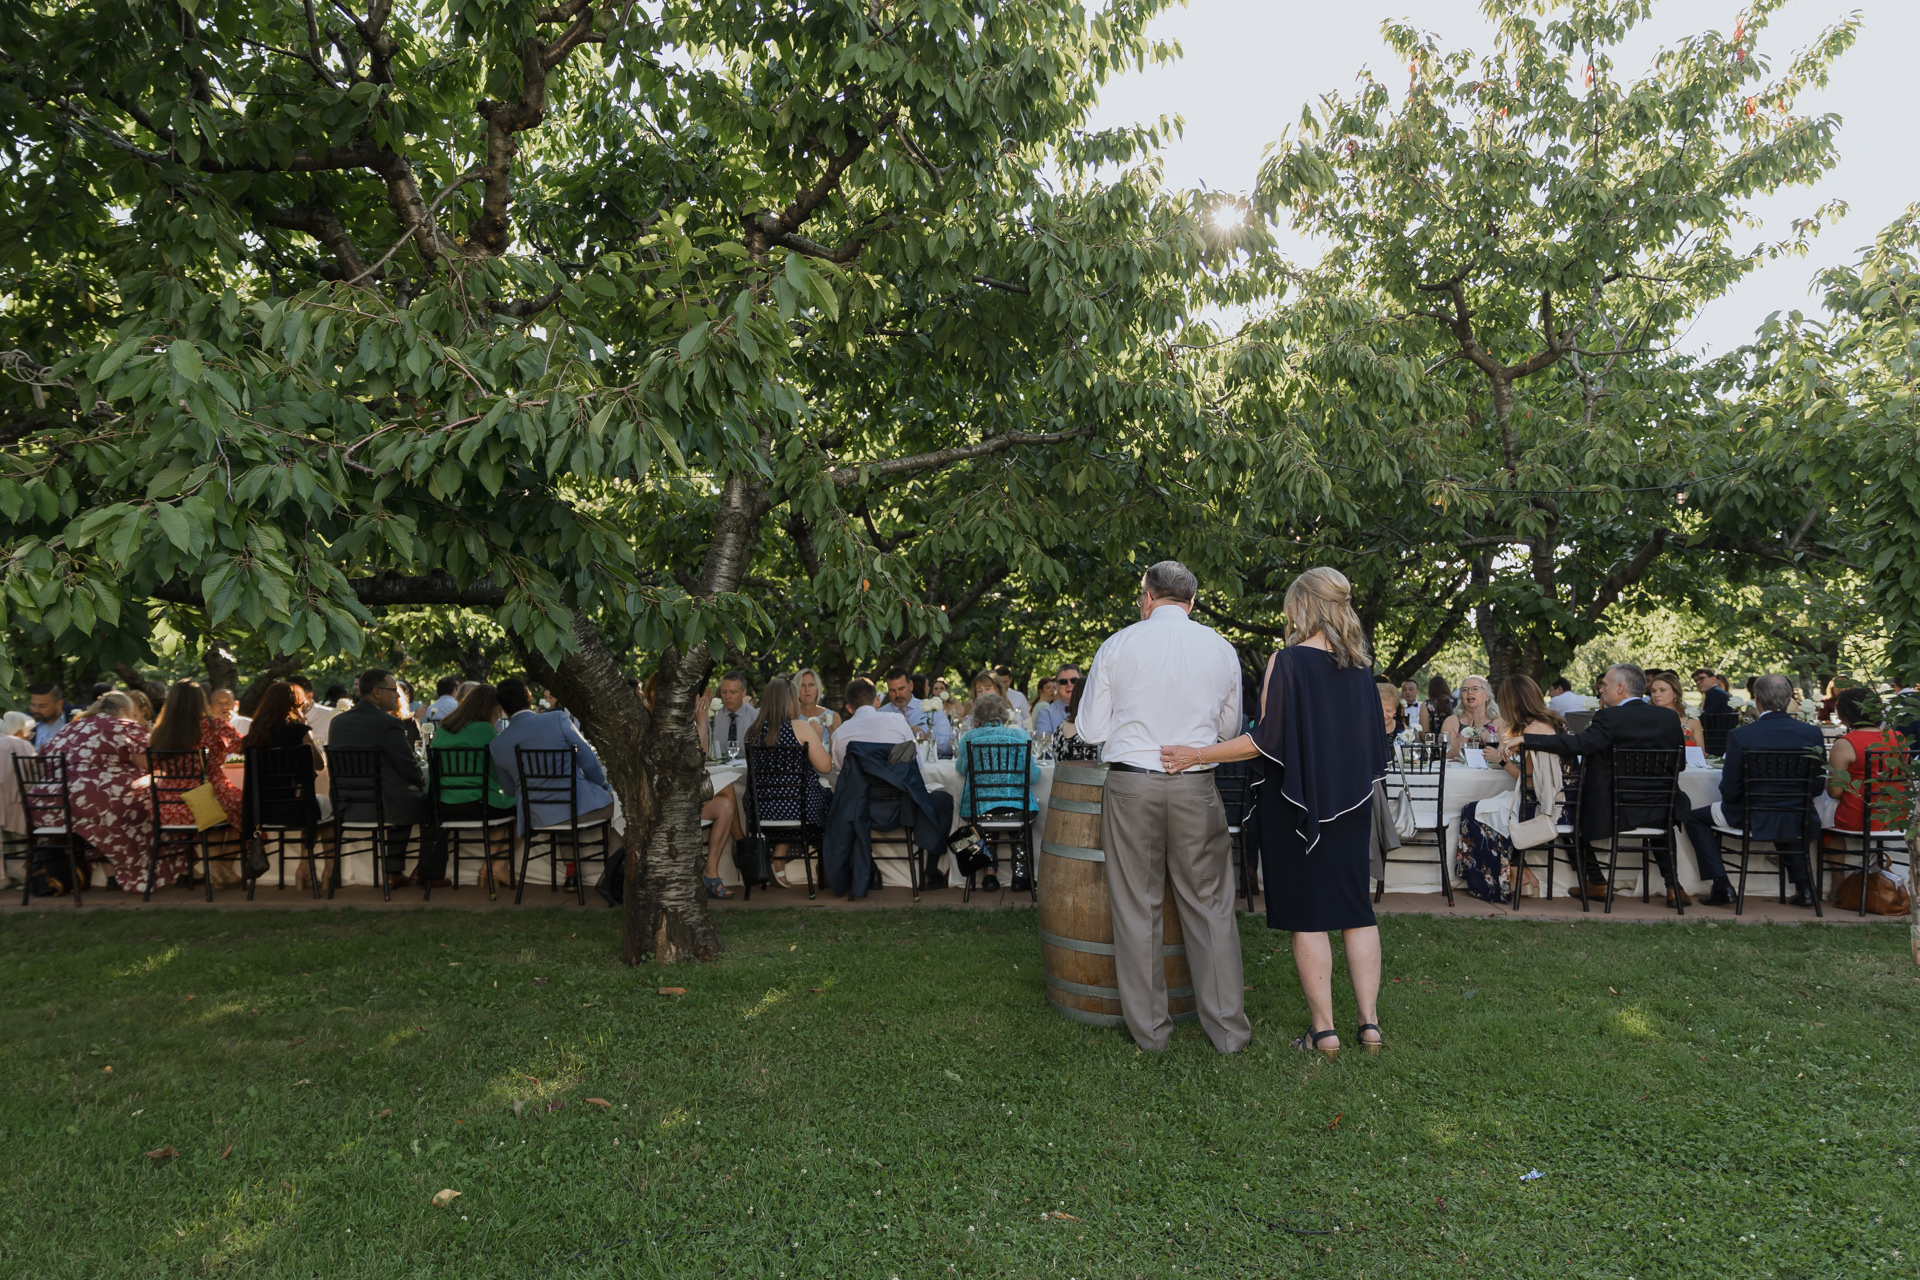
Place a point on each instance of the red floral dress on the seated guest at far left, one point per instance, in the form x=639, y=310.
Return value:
x=112, y=813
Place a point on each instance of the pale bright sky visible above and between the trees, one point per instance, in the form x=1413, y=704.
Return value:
x=1249, y=66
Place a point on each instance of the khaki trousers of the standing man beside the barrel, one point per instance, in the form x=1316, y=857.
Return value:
x=1172, y=832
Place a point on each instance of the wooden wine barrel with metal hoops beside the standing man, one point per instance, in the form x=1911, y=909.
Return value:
x=1078, y=916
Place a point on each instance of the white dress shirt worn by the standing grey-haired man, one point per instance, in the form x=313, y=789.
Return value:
x=1163, y=682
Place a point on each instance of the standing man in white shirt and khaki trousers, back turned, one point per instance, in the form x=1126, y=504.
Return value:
x=1168, y=680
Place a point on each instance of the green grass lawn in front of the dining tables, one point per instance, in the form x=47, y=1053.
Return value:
x=886, y=1095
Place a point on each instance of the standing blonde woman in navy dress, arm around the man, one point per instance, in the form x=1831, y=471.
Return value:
x=1322, y=749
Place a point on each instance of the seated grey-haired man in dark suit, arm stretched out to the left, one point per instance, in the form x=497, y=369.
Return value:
x=1623, y=723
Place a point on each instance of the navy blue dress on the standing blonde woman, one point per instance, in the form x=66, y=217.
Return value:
x=1320, y=753
